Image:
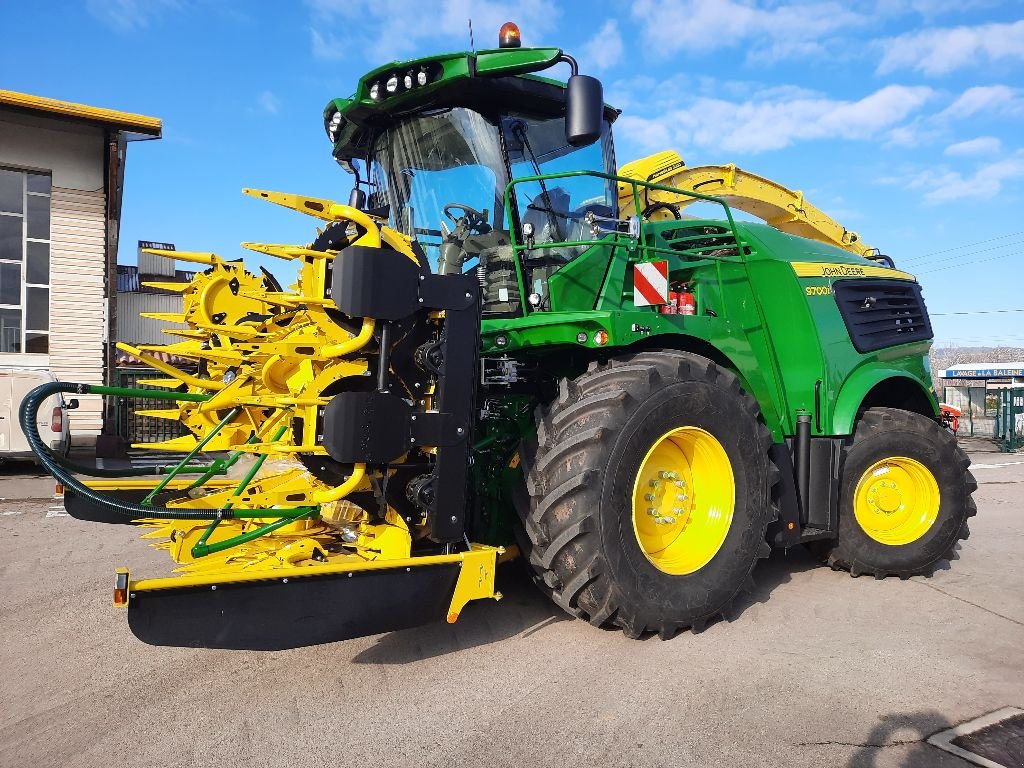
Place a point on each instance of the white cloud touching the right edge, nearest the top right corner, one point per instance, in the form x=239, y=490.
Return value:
x=940, y=52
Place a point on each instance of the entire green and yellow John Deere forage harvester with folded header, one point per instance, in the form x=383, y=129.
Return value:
x=482, y=358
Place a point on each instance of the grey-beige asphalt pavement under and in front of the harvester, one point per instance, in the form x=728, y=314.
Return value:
x=816, y=669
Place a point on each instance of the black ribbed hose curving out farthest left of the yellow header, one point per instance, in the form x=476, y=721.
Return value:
x=28, y=415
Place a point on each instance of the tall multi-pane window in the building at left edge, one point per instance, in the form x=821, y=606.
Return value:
x=25, y=262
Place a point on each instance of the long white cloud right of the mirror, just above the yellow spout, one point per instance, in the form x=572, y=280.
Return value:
x=782, y=119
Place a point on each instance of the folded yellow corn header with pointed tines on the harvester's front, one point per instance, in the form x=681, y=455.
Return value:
x=269, y=529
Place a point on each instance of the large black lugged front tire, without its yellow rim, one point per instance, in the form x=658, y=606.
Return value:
x=579, y=531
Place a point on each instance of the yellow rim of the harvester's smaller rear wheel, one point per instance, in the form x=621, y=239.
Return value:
x=897, y=501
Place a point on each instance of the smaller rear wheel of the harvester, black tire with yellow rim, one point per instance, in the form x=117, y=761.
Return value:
x=885, y=441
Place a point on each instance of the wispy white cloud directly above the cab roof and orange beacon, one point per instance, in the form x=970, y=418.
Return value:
x=388, y=30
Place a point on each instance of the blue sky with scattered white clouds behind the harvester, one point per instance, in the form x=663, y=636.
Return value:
x=904, y=119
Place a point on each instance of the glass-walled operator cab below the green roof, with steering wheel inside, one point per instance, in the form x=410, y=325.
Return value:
x=442, y=176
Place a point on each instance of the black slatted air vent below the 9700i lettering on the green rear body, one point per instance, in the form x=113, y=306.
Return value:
x=882, y=313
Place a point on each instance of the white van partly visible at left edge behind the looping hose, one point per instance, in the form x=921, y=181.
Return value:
x=16, y=383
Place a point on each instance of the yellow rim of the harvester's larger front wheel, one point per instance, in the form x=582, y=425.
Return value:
x=684, y=501
